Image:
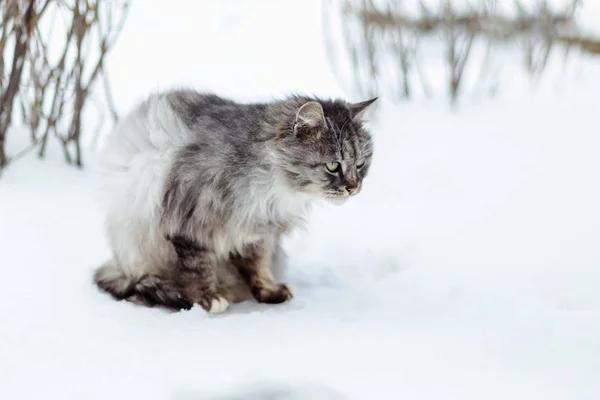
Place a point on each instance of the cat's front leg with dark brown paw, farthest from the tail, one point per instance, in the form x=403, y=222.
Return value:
x=255, y=269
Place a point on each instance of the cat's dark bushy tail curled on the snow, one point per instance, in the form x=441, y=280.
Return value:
x=151, y=290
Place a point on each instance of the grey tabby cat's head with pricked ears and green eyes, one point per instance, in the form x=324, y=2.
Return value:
x=324, y=150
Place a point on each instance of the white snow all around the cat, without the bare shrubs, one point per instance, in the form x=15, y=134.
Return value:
x=468, y=268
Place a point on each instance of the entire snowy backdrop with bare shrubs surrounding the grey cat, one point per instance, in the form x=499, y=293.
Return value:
x=467, y=268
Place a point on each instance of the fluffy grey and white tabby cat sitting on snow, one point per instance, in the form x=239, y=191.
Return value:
x=201, y=189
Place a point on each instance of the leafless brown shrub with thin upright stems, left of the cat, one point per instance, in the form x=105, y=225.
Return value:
x=53, y=80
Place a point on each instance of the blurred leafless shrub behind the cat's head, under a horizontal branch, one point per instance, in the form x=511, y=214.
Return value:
x=385, y=56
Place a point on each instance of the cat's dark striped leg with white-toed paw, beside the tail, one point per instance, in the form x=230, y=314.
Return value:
x=196, y=273
